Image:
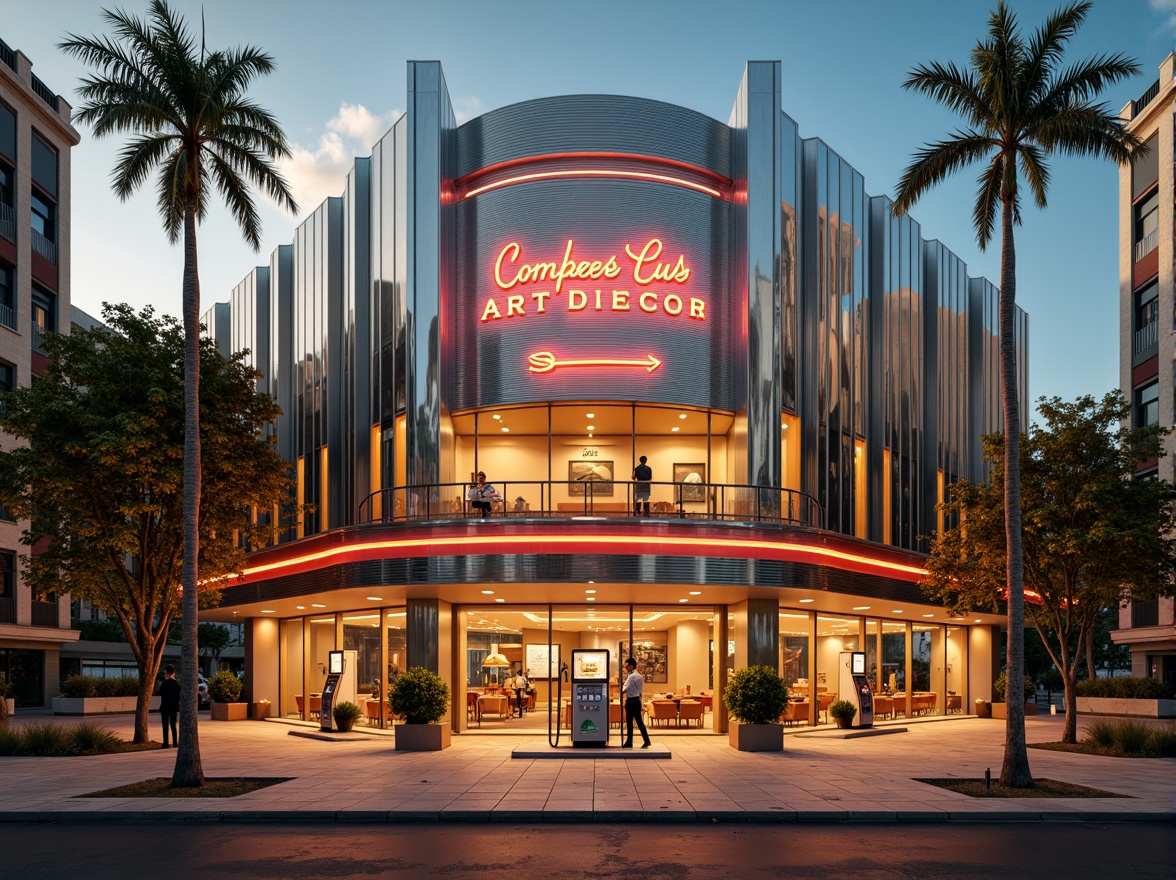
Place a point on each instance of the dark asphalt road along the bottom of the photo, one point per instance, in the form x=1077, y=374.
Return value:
x=551, y=852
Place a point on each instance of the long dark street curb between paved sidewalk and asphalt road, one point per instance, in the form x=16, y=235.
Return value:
x=566, y=817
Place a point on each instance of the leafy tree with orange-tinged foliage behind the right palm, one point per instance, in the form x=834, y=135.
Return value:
x=1093, y=536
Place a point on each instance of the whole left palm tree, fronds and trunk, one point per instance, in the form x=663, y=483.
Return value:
x=190, y=118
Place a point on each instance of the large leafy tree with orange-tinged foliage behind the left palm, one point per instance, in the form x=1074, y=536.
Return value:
x=101, y=475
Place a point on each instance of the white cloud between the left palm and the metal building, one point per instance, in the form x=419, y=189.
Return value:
x=317, y=172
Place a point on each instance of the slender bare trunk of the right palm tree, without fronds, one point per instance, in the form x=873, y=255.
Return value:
x=1015, y=770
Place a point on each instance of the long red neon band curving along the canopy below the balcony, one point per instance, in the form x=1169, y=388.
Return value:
x=592, y=544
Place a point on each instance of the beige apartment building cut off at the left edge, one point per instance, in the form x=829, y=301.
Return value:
x=36, y=138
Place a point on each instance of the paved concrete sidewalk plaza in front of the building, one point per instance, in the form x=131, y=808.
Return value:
x=821, y=777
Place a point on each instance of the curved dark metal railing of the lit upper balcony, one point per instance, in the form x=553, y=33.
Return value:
x=597, y=499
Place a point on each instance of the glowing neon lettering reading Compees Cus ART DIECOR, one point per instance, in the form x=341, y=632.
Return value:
x=646, y=269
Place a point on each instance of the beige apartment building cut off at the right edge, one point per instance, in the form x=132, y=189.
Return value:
x=1148, y=331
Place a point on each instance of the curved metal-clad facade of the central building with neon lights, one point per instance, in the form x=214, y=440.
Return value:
x=556, y=289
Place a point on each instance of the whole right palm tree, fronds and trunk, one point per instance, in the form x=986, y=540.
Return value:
x=1020, y=106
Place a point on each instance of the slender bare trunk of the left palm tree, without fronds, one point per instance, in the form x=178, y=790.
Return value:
x=189, y=774
